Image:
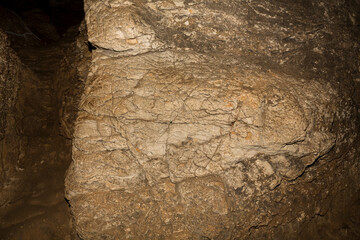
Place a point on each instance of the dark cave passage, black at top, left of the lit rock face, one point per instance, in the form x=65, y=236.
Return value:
x=41, y=33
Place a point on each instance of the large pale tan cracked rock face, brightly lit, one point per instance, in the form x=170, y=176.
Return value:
x=217, y=120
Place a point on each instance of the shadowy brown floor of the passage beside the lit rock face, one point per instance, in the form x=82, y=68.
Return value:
x=41, y=211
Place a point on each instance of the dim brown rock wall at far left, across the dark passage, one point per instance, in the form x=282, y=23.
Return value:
x=12, y=77
